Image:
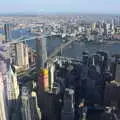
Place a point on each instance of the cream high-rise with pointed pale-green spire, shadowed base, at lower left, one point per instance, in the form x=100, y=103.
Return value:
x=11, y=90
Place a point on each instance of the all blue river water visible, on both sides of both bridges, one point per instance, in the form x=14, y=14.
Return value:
x=73, y=50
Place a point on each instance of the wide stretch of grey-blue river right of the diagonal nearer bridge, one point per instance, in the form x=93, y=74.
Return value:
x=76, y=49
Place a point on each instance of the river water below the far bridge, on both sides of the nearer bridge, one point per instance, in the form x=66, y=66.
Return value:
x=75, y=49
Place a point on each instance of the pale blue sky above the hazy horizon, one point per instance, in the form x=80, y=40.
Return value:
x=60, y=6
